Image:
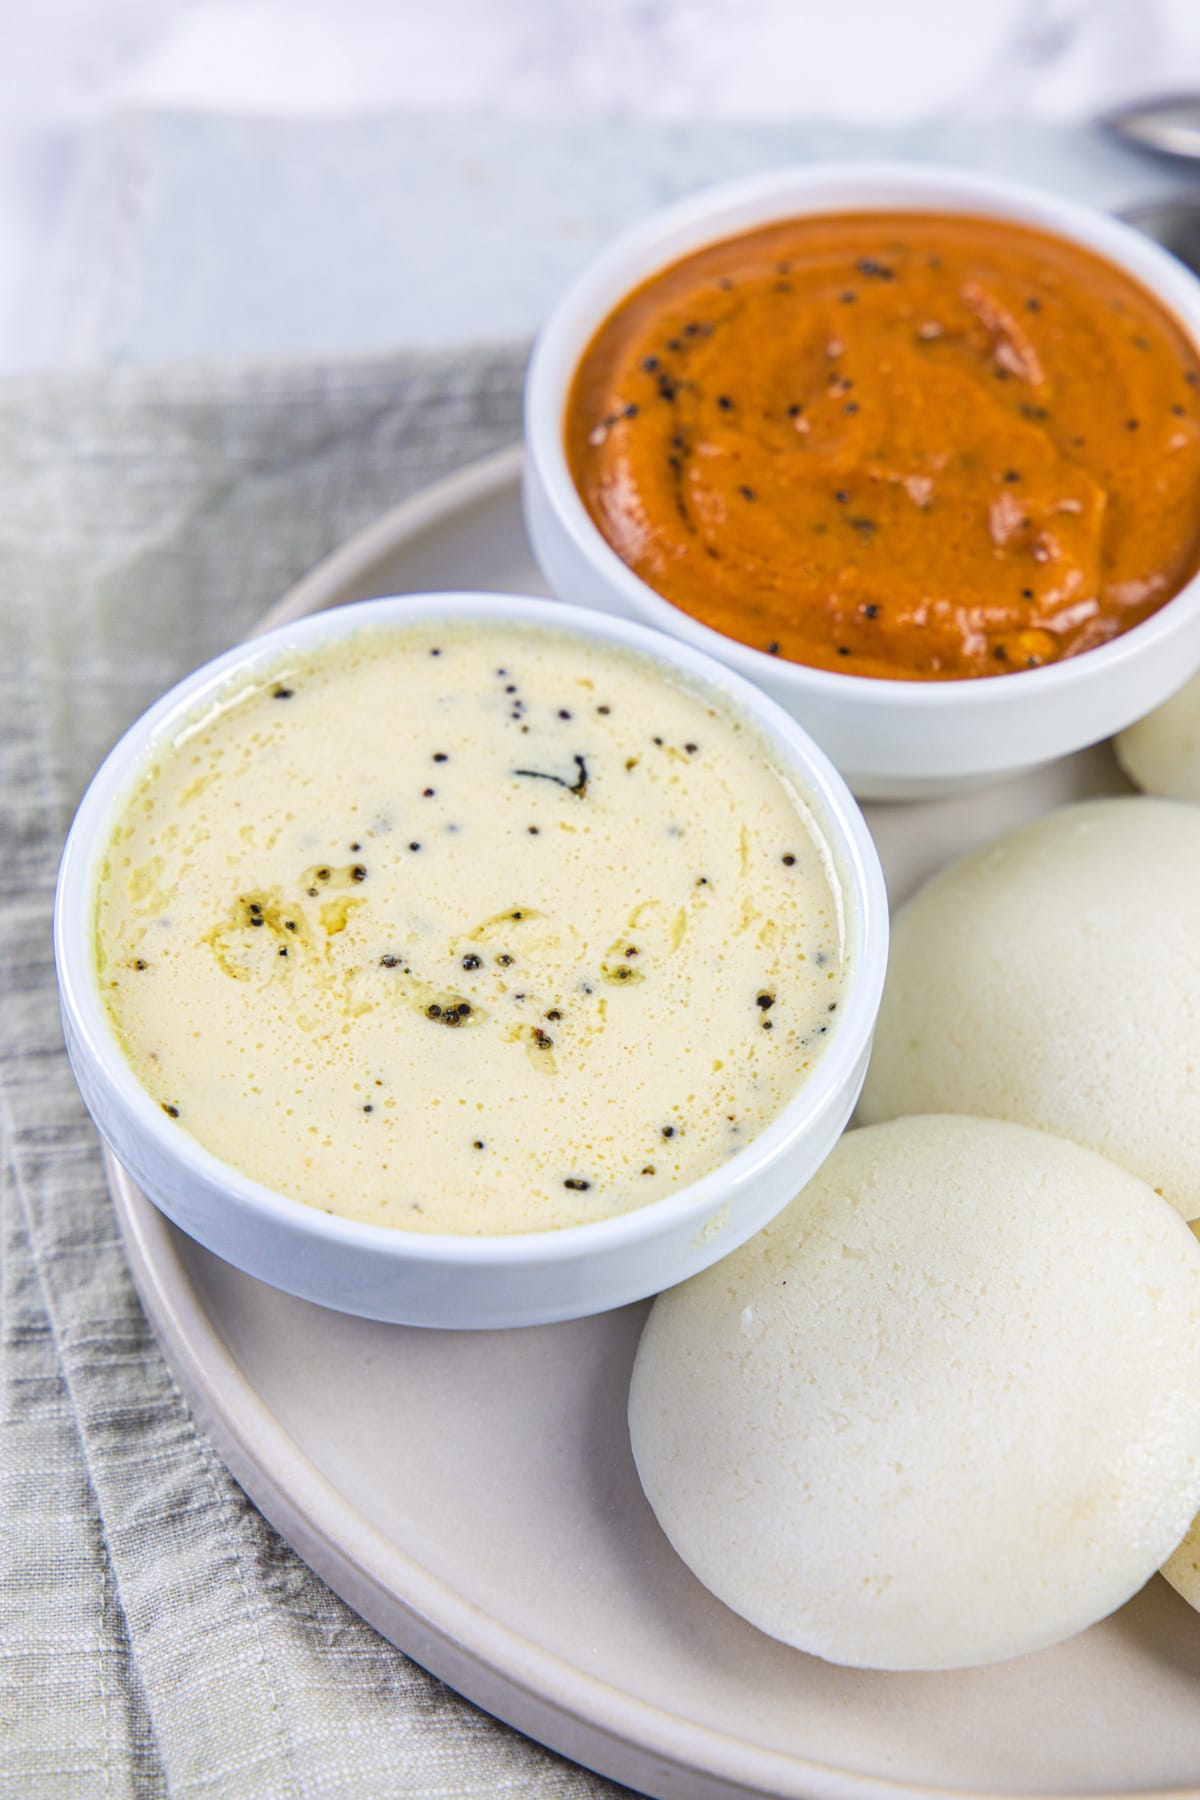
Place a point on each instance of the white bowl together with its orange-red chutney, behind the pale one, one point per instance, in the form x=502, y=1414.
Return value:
x=915, y=451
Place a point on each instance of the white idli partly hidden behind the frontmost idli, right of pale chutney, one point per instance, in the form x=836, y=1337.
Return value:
x=1053, y=978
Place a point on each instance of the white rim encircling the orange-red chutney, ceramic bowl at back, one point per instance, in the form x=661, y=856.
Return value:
x=730, y=210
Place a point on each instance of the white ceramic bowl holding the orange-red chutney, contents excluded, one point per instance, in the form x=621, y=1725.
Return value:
x=891, y=739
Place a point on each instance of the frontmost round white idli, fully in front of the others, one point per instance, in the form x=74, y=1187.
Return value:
x=944, y=1410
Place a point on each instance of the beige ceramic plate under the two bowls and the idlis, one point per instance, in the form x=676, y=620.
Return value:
x=474, y=1497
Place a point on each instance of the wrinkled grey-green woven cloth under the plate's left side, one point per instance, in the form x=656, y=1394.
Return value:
x=156, y=1635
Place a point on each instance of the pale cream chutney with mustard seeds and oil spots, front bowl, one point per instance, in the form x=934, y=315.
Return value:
x=474, y=928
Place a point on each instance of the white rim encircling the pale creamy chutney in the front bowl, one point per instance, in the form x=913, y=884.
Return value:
x=836, y=813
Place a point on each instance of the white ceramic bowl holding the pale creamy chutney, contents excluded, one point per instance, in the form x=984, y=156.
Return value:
x=442, y=1279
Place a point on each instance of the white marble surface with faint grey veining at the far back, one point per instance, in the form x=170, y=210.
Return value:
x=69, y=66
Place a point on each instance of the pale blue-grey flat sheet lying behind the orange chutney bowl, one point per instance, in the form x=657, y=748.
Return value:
x=197, y=231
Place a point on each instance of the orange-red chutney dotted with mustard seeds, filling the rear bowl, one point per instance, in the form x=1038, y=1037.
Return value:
x=897, y=445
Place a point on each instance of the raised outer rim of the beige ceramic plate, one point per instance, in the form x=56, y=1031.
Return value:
x=497, y=1668
